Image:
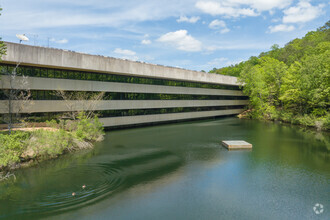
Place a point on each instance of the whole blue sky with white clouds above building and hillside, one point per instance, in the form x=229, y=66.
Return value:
x=191, y=34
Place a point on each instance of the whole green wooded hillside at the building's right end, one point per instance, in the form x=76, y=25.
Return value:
x=290, y=84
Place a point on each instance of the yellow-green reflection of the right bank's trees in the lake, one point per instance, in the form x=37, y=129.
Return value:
x=292, y=145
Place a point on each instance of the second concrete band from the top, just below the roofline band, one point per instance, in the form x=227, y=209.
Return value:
x=35, y=83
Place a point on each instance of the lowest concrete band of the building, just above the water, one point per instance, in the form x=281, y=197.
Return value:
x=141, y=119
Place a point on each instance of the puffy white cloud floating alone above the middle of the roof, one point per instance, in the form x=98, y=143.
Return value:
x=182, y=40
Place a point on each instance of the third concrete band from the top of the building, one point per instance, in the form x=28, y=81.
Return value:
x=63, y=106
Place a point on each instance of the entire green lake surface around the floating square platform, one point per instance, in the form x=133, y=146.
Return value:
x=181, y=171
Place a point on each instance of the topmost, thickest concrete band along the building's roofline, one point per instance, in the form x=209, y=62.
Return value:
x=62, y=59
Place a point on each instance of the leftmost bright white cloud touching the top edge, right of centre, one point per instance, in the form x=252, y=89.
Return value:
x=228, y=10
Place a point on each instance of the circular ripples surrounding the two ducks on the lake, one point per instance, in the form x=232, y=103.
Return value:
x=99, y=180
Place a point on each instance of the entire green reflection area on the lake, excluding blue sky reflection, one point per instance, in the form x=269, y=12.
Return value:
x=141, y=156
